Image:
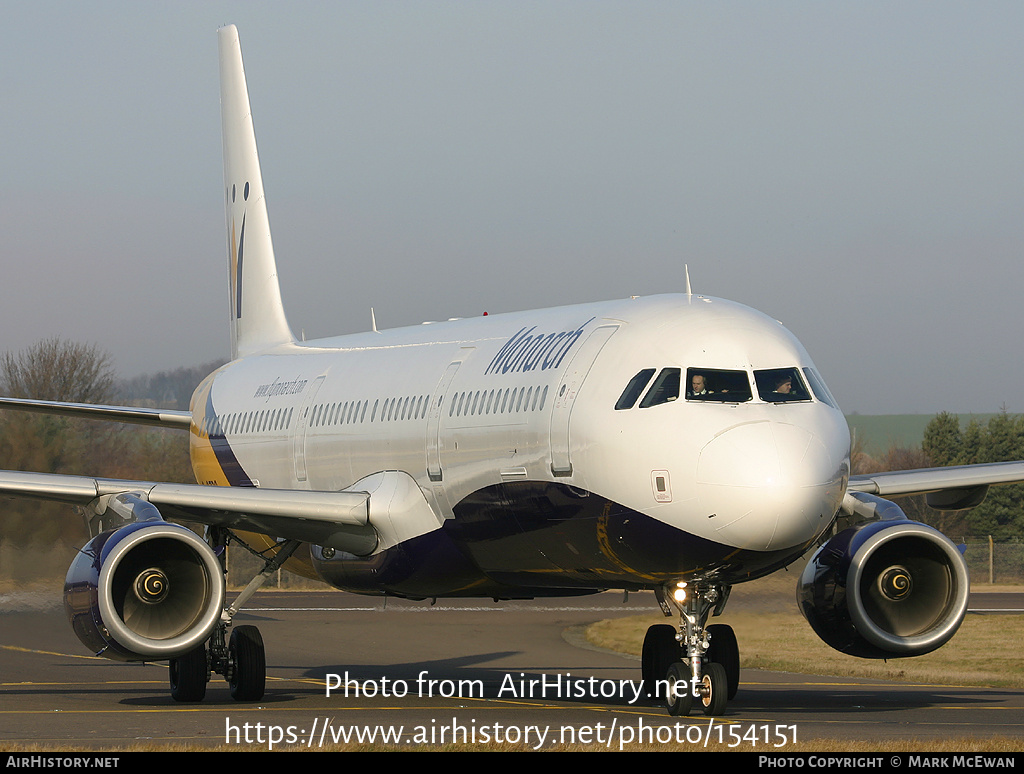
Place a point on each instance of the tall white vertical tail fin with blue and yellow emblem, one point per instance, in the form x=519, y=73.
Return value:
x=259, y=320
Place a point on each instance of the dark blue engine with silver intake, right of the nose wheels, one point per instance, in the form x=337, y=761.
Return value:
x=885, y=590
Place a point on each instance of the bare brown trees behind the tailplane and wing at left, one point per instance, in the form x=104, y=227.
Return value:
x=67, y=371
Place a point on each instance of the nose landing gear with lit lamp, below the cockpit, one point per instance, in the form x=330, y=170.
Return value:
x=694, y=664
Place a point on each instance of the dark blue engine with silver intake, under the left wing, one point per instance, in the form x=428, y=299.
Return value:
x=149, y=591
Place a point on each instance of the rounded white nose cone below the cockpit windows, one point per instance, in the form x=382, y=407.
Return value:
x=770, y=486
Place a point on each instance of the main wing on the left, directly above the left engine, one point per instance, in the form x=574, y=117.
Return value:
x=340, y=520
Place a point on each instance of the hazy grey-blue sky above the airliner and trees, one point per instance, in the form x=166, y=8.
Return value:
x=852, y=169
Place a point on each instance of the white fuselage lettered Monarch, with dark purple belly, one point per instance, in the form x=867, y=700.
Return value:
x=504, y=421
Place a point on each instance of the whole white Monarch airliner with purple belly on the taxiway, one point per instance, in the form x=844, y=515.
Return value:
x=678, y=444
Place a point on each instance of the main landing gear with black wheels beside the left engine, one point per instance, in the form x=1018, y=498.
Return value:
x=239, y=657
